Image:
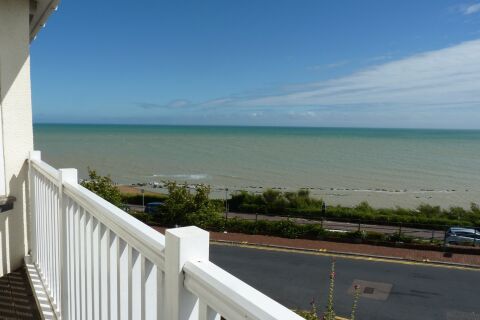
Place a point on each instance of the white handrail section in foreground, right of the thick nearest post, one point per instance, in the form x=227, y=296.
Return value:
x=231, y=297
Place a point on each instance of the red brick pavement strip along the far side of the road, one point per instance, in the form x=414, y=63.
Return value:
x=365, y=249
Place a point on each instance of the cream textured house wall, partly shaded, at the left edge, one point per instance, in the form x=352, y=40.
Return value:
x=16, y=127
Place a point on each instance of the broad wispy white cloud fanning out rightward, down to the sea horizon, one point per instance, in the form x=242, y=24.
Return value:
x=437, y=89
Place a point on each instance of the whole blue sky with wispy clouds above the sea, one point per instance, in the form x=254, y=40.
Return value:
x=371, y=63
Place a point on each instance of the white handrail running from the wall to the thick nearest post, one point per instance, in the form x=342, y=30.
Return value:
x=146, y=240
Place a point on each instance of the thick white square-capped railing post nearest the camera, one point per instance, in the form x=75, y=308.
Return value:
x=182, y=245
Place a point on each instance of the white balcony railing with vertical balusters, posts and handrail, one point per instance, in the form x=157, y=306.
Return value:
x=97, y=262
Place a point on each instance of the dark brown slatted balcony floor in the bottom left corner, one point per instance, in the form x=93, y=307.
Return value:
x=16, y=297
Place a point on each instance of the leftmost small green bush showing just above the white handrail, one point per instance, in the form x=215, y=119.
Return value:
x=103, y=186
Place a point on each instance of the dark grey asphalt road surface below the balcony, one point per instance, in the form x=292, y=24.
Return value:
x=395, y=291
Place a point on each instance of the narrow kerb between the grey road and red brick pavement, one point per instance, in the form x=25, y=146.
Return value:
x=352, y=254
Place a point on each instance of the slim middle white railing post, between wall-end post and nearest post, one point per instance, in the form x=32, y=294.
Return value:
x=71, y=176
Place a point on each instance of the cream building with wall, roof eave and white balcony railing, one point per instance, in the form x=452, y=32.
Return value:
x=85, y=258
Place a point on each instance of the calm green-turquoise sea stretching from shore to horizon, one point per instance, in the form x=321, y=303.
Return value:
x=386, y=167
